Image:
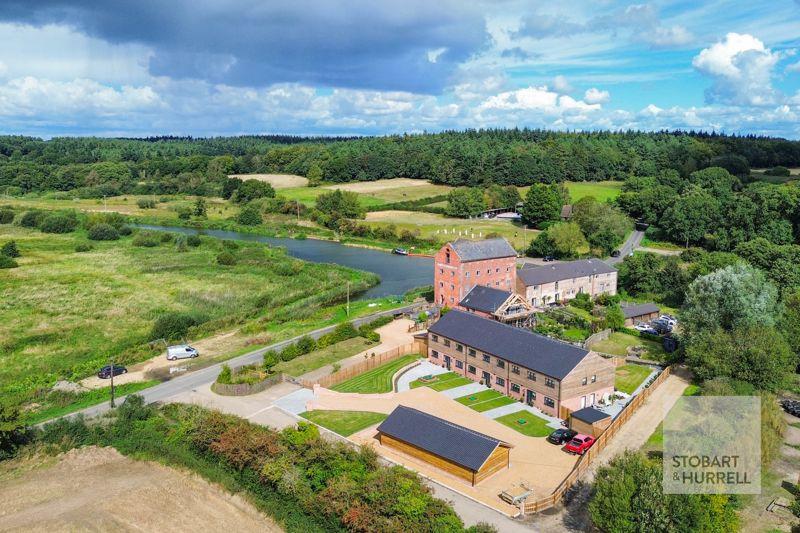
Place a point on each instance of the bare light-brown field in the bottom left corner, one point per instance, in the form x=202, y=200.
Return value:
x=98, y=489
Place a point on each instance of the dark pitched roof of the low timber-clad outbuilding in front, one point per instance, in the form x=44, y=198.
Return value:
x=455, y=443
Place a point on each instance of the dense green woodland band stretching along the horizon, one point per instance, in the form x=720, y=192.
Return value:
x=94, y=167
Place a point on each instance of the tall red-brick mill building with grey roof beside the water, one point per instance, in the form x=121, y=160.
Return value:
x=463, y=264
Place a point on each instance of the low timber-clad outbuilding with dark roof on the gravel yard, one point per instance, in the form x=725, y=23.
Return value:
x=457, y=450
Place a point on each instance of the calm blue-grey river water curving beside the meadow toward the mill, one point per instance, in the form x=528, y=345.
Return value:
x=398, y=273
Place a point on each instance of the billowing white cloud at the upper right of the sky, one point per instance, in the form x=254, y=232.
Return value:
x=741, y=67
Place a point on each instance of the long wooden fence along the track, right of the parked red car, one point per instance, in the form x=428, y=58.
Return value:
x=591, y=454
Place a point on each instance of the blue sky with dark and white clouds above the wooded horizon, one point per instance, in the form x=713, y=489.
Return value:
x=371, y=67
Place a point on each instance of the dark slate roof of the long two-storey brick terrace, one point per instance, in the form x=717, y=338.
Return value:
x=519, y=346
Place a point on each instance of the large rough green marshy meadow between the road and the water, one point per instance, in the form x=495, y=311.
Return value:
x=63, y=314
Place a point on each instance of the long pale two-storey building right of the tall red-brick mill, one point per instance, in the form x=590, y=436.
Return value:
x=560, y=282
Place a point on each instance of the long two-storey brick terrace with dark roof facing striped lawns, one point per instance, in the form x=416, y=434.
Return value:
x=556, y=377
